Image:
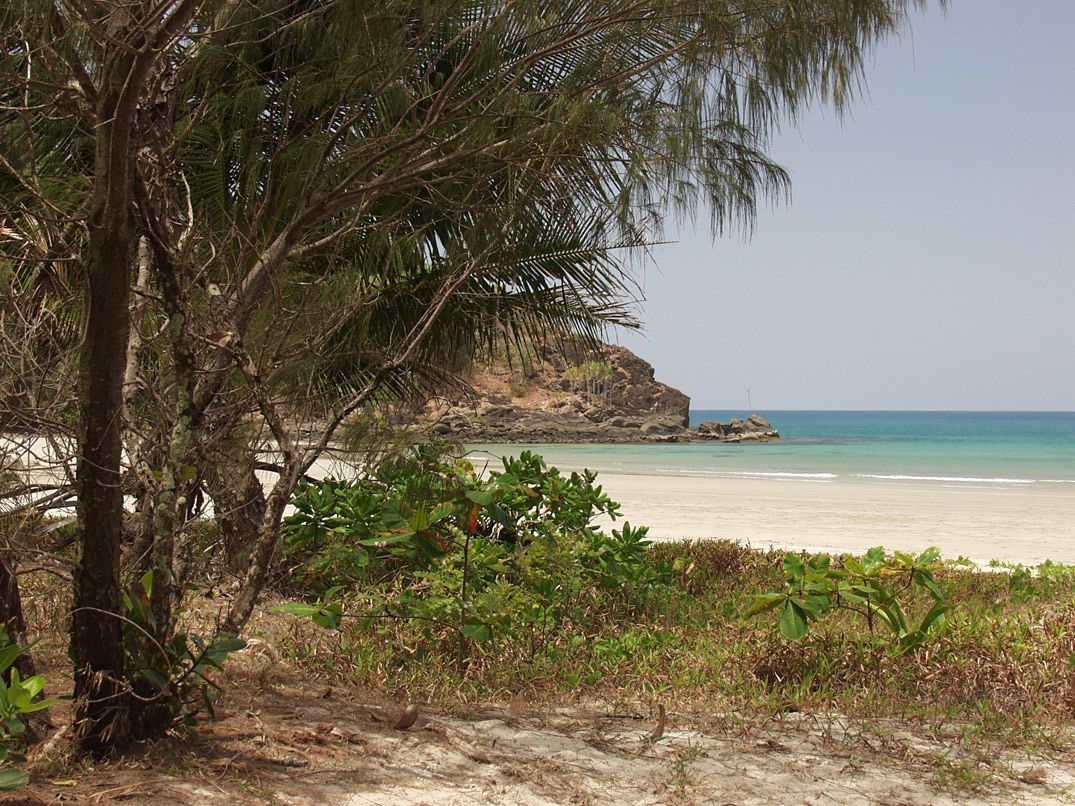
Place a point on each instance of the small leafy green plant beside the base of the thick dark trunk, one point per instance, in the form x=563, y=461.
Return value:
x=174, y=674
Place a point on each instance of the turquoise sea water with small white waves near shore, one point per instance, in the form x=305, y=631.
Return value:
x=945, y=449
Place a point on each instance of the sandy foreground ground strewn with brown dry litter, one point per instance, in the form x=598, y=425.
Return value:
x=284, y=740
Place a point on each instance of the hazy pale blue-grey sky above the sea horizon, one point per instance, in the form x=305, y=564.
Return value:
x=926, y=261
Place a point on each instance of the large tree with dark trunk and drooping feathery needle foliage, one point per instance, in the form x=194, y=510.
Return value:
x=308, y=207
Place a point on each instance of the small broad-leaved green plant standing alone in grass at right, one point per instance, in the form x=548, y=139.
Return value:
x=872, y=587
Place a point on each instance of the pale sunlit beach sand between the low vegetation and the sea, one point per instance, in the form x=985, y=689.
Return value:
x=1027, y=525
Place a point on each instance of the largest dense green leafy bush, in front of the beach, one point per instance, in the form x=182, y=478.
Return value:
x=510, y=556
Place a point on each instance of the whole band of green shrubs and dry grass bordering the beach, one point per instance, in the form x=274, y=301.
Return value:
x=560, y=609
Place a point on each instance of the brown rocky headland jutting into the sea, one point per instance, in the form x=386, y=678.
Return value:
x=604, y=396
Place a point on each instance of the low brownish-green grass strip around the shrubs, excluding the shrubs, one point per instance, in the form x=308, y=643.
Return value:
x=1000, y=674
